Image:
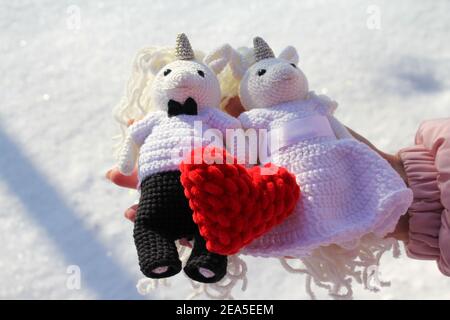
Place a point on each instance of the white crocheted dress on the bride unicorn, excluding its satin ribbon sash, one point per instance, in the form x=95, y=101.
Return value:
x=348, y=190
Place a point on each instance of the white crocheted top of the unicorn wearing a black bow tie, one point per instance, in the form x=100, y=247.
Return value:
x=164, y=141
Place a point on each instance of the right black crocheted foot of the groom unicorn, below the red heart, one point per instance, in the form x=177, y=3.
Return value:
x=204, y=266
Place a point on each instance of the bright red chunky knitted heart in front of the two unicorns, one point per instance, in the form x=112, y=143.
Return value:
x=233, y=205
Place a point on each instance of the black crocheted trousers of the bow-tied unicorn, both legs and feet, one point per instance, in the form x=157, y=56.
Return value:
x=164, y=216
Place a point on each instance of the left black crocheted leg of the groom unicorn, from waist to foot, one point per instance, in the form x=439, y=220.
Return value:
x=163, y=216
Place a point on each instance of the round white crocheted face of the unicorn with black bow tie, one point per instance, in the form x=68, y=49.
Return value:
x=182, y=79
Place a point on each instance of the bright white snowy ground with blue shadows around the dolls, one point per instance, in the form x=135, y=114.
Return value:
x=59, y=84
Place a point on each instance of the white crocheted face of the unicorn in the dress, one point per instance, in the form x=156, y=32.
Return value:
x=270, y=82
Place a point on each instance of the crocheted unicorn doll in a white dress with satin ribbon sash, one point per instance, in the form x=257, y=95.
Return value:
x=348, y=190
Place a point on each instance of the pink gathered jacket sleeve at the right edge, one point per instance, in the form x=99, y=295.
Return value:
x=427, y=166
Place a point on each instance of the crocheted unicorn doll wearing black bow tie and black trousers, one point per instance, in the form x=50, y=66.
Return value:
x=183, y=92
